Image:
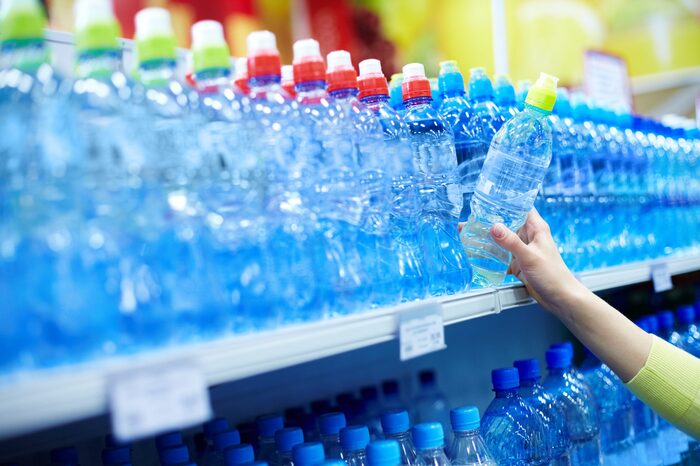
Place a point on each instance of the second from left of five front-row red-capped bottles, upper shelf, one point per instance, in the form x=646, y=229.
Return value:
x=334, y=196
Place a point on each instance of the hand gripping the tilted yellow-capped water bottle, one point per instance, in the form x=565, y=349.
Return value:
x=537, y=262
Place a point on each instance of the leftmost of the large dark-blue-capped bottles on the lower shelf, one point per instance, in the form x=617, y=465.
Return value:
x=511, y=428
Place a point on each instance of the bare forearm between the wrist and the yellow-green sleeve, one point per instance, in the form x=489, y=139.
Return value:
x=611, y=336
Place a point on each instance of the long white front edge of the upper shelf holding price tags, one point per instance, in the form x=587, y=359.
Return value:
x=50, y=398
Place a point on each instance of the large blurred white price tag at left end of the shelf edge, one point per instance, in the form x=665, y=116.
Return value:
x=151, y=400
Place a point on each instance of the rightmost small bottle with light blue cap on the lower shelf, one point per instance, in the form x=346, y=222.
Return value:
x=468, y=448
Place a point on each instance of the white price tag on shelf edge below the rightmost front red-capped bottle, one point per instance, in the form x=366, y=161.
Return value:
x=421, y=330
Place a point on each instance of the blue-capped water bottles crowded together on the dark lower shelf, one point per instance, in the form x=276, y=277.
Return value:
x=573, y=416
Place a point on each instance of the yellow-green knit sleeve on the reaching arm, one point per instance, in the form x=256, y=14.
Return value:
x=669, y=383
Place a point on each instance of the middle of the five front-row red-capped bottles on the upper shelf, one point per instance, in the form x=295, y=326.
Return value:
x=373, y=157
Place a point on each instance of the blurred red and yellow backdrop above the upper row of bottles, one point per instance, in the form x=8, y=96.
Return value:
x=659, y=40
